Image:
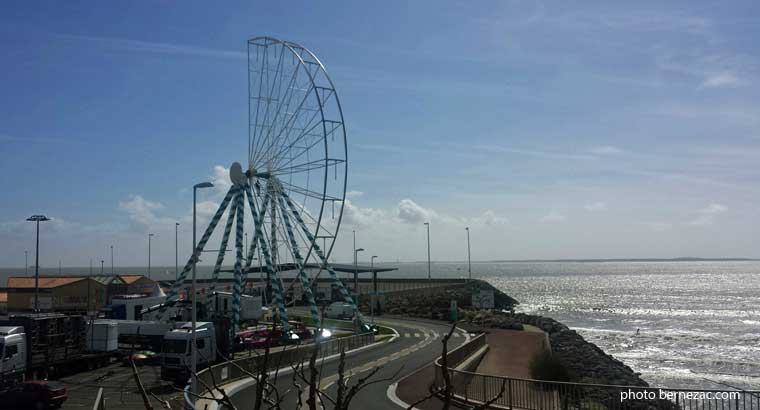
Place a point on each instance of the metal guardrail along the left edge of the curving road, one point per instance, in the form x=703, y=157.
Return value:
x=242, y=368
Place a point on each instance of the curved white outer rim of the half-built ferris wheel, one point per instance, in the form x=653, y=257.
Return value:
x=267, y=41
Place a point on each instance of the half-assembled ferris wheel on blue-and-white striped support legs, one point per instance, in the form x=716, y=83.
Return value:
x=293, y=188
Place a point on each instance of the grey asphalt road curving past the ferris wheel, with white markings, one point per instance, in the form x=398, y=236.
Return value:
x=418, y=344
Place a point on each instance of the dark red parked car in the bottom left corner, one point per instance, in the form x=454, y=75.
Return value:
x=38, y=395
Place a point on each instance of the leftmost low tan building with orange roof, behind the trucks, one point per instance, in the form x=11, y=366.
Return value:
x=71, y=294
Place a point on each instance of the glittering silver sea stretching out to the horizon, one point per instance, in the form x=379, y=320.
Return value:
x=680, y=324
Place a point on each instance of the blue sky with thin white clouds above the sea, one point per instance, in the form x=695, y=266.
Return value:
x=551, y=129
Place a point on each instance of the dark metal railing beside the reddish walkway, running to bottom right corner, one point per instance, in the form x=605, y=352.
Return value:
x=528, y=394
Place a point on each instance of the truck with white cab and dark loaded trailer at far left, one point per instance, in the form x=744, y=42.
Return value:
x=37, y=345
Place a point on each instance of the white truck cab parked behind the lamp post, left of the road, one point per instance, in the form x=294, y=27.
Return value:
x=176, y=354
